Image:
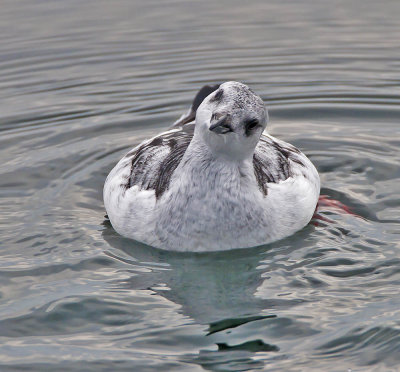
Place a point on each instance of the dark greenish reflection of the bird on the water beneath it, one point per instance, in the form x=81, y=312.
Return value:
x=213, y=289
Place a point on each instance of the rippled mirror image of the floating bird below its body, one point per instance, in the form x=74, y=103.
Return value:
x=220, y=296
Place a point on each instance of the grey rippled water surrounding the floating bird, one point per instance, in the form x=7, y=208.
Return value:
x=83, y=82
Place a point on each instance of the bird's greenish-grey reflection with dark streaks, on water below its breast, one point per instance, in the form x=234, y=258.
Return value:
x=219, y=290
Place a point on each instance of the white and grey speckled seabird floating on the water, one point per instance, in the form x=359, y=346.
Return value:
x=215, y=184
